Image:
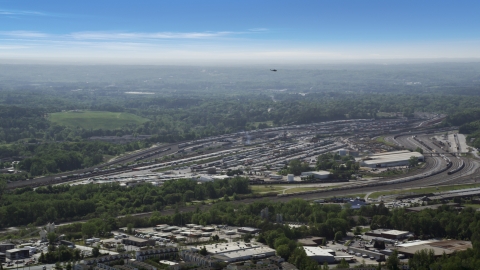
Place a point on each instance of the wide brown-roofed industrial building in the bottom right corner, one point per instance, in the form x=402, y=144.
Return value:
x=439, y=247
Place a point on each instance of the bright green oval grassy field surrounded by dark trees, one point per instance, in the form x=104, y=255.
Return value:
x=95, y=119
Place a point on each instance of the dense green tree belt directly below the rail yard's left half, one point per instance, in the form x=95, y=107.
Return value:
x=65, y=202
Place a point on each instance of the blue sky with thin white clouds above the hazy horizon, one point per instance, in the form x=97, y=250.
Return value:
x=231, y=31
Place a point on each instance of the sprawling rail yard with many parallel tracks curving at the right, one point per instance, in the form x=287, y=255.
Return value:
x=275, y=147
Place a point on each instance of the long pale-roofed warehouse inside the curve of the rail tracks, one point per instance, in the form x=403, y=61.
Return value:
x=390, y=159
